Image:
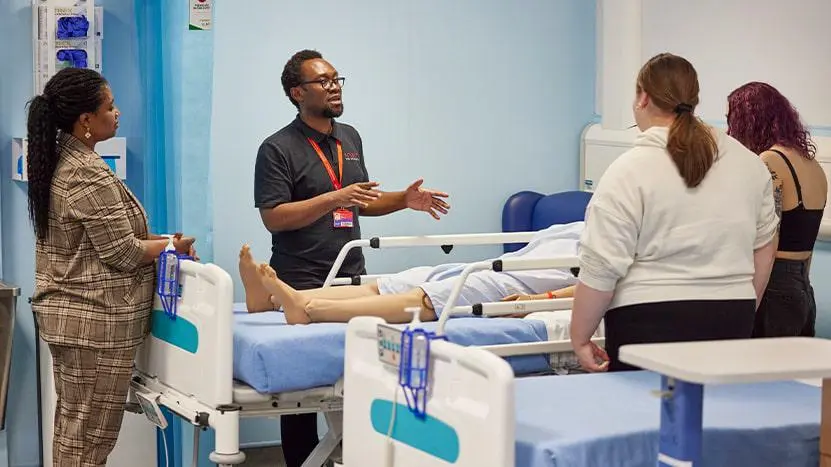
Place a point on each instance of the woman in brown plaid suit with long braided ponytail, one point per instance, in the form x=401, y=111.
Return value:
x=94, y=266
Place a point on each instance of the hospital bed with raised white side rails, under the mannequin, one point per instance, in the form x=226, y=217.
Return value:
x=213, y=363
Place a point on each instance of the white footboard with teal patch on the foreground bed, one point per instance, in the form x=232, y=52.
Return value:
x=485, y=413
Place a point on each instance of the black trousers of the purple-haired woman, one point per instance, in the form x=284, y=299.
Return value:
x=788, y=307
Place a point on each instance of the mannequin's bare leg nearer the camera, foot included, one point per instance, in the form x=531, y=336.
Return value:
x=301, y=308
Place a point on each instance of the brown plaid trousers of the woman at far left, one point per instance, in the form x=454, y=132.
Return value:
x=92, y=388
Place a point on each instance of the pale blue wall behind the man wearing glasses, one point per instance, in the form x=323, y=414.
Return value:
x=482, y=98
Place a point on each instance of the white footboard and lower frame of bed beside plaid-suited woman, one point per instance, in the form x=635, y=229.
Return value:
x=199, y=386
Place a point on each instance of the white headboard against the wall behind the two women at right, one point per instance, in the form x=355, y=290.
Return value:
x=599, y=147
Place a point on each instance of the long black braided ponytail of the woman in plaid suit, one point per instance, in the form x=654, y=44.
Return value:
x=42, y=161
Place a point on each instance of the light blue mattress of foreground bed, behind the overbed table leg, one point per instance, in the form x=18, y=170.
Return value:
x=617, y=419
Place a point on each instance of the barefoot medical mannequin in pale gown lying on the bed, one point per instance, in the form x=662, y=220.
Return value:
x=427, y=288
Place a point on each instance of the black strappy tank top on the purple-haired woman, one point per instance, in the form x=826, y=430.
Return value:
x=799, y=227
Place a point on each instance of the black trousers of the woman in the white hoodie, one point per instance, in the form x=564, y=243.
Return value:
x=678, y=321
